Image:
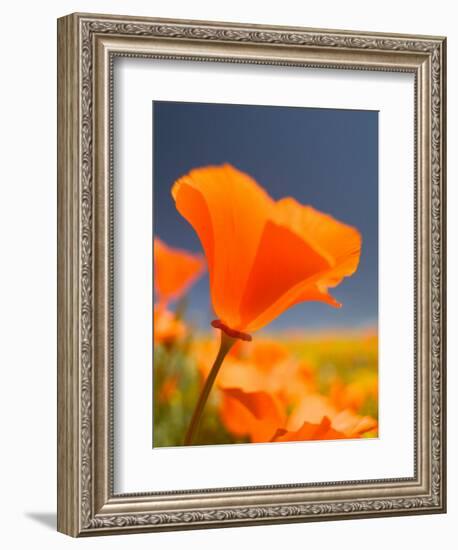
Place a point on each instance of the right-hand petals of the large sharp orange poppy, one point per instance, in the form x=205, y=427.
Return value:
x=321, y=237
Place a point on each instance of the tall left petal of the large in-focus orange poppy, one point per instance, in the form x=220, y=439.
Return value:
x=228, y=211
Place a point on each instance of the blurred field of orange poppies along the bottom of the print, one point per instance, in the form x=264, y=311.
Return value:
x=279, y=387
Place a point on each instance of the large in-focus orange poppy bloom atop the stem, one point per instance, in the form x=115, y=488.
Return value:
x=263, y=256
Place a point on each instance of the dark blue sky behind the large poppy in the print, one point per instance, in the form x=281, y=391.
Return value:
x=327, y=158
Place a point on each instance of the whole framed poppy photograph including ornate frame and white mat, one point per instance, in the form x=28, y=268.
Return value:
x=251, y=290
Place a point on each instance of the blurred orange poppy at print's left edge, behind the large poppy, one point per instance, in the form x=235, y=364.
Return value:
x=174, y=270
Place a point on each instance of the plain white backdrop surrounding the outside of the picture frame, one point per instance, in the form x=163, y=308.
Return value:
x=28, y=274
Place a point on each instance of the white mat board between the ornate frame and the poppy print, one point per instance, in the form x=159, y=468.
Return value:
x=390, y=455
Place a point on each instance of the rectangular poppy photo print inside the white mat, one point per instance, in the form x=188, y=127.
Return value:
x=265, y=274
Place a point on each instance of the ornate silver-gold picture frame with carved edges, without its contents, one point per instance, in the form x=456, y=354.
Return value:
x=87, y=46
